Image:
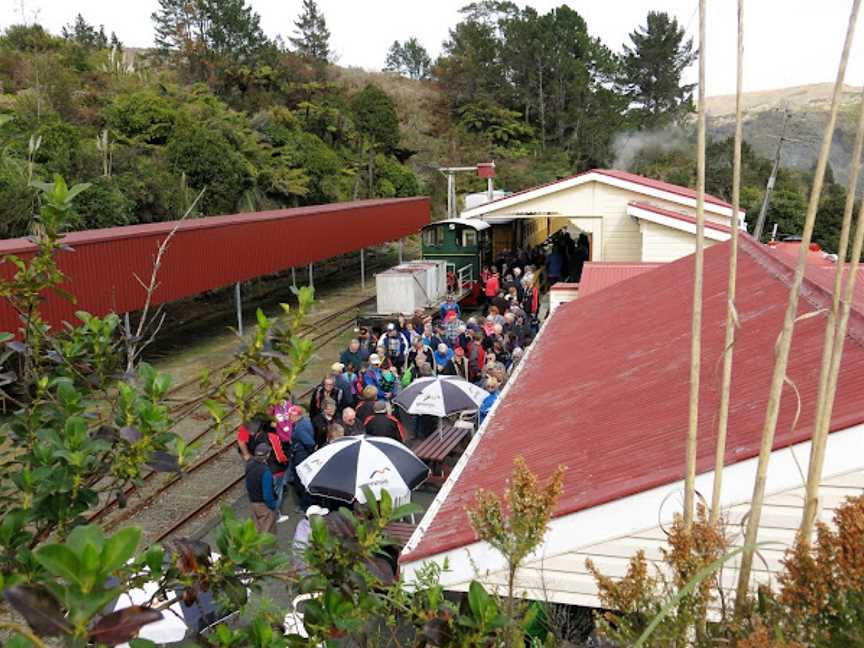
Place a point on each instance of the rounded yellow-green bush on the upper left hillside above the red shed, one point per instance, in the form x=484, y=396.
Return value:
x=142, y=116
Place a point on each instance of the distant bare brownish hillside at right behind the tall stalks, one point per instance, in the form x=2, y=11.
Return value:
x=808, y=112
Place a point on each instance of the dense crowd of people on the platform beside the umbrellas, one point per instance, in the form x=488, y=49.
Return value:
x=355, y=397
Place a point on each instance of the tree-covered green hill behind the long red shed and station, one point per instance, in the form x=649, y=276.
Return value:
x=262, y=123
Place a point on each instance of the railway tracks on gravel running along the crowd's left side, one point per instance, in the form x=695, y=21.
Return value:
x=203, y=483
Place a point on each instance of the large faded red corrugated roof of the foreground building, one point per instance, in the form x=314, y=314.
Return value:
x=605, y=392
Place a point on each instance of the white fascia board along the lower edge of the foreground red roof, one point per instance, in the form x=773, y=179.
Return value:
x=844, y=452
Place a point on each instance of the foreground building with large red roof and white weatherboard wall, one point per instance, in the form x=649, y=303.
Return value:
x=604, y=391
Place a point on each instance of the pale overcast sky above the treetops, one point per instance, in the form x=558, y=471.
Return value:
x=789, y=42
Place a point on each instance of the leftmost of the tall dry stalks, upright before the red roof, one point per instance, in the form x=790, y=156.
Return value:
x=696, y=322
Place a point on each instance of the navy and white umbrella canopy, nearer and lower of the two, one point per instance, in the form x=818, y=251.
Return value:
x=341, y=468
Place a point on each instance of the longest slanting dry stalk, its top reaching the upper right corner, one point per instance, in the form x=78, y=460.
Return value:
x=784, y=342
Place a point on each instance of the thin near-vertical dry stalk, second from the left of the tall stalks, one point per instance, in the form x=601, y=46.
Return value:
x=731, y=319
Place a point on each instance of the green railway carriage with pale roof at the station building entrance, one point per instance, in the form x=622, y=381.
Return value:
x=462, y=243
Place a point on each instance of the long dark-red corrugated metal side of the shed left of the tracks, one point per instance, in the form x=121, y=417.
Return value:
x=208, y=253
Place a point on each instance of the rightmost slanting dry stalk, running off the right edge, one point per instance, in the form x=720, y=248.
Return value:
x=835, y=334
